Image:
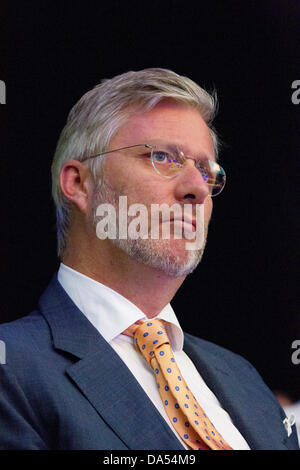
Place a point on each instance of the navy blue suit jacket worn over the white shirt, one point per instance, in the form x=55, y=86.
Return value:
x=64, y=387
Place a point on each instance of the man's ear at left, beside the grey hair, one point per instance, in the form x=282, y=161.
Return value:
x=75, y=183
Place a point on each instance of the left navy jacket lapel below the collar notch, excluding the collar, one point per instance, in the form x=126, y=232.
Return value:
x=120, y=401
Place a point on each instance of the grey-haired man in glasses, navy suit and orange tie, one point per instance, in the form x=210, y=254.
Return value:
x=74, y=378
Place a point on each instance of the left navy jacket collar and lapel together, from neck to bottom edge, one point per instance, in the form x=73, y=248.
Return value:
x=102, y=376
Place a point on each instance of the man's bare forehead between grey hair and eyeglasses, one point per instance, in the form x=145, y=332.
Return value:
x=169, y=122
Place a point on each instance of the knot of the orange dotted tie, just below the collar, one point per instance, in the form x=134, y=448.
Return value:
x=148, y=336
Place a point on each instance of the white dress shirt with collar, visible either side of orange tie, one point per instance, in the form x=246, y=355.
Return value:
x=111, y=313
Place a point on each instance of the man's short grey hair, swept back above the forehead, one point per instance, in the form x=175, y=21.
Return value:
x=102, y=111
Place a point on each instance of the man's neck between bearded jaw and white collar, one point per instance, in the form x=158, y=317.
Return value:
x=148, y=288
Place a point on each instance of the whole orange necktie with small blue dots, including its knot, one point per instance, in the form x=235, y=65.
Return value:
x=183, y=410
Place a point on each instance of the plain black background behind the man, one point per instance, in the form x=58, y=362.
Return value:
x=245, y=294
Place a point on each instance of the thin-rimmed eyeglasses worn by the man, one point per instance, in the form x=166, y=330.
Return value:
x=168, y=161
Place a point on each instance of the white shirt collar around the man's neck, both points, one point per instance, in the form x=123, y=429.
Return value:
x=110, y=312
